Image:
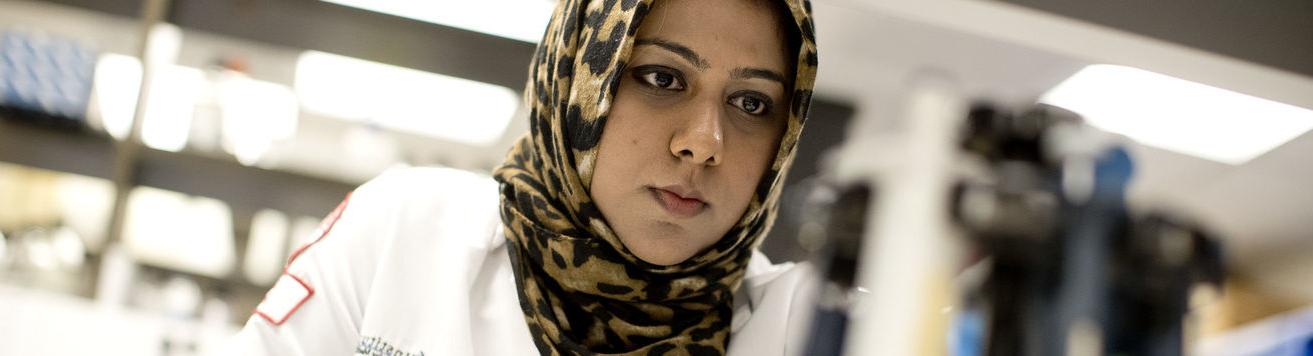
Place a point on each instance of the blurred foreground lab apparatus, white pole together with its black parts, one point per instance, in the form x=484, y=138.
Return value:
x=1050, y=259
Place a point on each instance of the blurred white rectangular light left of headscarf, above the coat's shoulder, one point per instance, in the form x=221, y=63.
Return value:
x=402, y=99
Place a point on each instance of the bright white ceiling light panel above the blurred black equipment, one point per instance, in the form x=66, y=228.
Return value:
x=1180, y=116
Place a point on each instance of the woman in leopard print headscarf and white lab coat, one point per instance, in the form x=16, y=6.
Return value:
x=628, y=219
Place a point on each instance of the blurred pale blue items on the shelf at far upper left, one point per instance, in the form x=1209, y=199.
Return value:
x=47, y=77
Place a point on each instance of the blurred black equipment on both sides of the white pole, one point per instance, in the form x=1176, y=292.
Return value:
x=1065, y=267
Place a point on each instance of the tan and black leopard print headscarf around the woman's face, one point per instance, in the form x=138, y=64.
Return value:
x=582, y=292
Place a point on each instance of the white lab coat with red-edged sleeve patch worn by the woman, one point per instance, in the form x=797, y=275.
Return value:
x=417, y=265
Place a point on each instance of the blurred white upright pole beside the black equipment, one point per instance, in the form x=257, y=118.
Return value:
x=908, y=257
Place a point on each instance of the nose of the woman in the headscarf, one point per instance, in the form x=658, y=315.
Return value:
x=702, y=140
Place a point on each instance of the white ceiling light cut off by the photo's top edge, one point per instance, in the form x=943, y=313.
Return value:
x=523, y=20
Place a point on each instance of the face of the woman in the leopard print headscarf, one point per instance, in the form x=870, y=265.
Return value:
x=695, y=124
